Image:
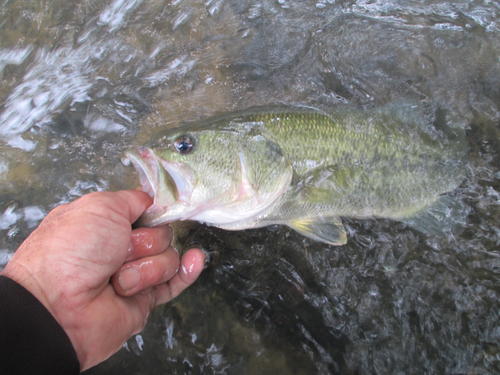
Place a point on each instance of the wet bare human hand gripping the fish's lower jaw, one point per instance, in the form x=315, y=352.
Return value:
x=83, y=261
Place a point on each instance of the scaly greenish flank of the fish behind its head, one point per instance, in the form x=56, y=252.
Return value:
x=394, y=165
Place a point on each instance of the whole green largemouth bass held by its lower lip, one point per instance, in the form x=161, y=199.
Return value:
x=305, y=168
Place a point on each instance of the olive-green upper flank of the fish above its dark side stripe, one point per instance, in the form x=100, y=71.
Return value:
x=322, y=141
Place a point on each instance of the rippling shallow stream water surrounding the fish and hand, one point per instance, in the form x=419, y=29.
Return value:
x=83, y=81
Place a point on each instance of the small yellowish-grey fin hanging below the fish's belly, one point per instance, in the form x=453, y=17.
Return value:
x=329, y=230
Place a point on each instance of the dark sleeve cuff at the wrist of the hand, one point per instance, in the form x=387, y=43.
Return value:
x=31, y=340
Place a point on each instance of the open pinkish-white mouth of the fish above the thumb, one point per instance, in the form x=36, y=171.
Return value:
x=153, y=177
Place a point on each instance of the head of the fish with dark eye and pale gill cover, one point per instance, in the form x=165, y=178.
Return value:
x=224, y=177
